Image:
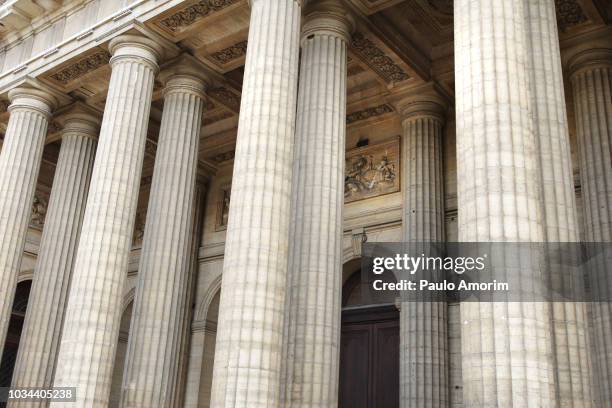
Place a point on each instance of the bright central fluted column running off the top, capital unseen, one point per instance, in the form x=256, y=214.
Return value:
x=249, y=339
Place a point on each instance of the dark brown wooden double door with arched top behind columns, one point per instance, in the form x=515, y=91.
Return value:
x=369, y=346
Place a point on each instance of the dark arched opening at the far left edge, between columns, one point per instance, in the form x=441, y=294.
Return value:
x=9, y=354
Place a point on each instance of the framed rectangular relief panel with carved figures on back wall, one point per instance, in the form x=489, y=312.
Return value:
x=372, y=171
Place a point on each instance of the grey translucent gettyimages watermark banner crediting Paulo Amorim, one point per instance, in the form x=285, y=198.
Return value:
x=489, y=272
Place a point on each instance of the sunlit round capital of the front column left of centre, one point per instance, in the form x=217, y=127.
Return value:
x=136, y=47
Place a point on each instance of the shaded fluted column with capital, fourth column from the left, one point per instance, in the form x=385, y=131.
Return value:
x=159, y=306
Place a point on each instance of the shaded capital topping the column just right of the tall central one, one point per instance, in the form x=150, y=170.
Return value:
x=326, y=17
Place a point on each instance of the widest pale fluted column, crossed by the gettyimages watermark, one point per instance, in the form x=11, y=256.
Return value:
x=506, y=347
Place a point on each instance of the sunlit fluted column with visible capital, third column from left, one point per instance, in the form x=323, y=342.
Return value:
x=93, y=313
